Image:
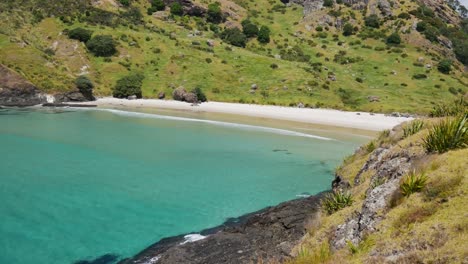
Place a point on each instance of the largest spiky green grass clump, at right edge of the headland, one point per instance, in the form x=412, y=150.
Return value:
x=451, y=133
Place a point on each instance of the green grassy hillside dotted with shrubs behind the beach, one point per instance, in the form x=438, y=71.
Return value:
x=298, y=65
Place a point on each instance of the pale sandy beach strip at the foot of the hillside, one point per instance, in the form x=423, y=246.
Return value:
x=329, y=117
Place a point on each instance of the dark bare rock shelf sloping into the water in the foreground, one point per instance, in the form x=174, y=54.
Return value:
x=268, y=235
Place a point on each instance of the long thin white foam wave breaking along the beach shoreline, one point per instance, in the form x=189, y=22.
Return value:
x=219, y=123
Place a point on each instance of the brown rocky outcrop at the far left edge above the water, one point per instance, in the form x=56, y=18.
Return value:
x=17, y=91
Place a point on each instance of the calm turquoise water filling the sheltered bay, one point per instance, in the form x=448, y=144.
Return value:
x=79, y=184
